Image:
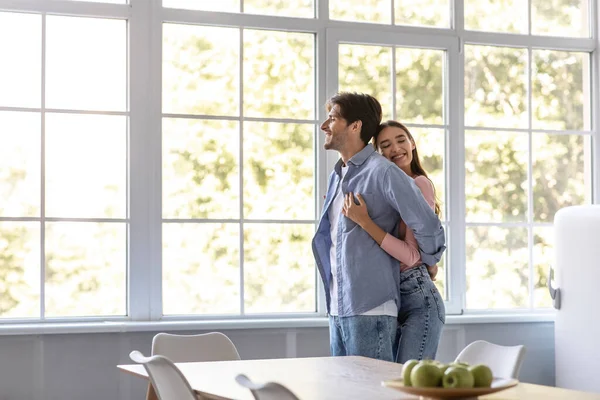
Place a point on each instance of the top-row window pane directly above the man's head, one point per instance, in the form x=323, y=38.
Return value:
x=377, y=11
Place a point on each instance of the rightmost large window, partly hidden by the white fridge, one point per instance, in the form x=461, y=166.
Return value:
x=527, y=154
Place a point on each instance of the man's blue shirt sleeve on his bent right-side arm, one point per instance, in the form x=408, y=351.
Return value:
x=404, y=195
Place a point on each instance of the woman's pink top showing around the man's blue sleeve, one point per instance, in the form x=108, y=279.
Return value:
x=405, y=248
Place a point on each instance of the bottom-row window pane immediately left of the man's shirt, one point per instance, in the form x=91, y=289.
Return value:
x=279, y=272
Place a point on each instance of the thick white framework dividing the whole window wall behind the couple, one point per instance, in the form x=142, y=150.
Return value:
x=145, y=18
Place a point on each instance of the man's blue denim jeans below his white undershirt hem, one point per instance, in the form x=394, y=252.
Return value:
x=363, y=335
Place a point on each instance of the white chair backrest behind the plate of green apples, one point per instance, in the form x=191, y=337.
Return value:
x=504, y=361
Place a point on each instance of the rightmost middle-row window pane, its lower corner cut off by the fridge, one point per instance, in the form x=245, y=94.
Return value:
x=561, y=173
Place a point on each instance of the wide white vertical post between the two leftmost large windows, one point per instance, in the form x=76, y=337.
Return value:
x=144, y=275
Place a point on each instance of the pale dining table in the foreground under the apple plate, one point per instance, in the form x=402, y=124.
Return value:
x=325, y=378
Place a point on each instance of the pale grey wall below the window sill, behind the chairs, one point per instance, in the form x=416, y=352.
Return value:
x=82, y=366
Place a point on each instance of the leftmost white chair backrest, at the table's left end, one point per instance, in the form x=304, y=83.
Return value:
x=168, y=381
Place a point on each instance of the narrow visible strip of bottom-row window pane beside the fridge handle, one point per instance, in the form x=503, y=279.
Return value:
x=543, y=258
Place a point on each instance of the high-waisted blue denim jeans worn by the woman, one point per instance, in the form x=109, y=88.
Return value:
x=421, y=317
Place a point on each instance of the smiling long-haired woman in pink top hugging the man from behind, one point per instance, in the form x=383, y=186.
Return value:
x=422, y=314
